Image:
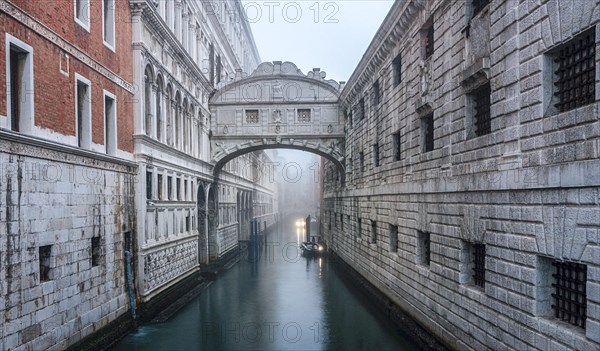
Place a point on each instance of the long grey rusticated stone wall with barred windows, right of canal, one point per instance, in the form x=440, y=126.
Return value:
x=529, y=190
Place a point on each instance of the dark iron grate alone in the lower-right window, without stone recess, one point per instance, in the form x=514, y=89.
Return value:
x=570, y=295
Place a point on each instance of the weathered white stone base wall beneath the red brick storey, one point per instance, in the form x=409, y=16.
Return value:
x=60, y=198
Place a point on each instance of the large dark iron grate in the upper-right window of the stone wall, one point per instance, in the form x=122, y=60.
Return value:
x=576, y=73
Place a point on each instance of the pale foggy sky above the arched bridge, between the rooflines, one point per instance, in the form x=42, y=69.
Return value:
x=330, y=35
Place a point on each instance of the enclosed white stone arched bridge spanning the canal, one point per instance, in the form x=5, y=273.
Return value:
x=277, y=106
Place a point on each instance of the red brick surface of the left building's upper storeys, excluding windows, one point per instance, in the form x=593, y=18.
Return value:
x=55, y=92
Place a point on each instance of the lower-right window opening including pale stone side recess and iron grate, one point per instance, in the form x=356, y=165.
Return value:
x=561, y=291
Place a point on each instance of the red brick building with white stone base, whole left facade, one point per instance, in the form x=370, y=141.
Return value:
x=66, y=145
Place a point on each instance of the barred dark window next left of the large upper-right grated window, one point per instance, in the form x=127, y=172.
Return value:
x=478, y=107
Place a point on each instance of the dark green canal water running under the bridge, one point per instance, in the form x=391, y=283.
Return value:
x=279, y=301
